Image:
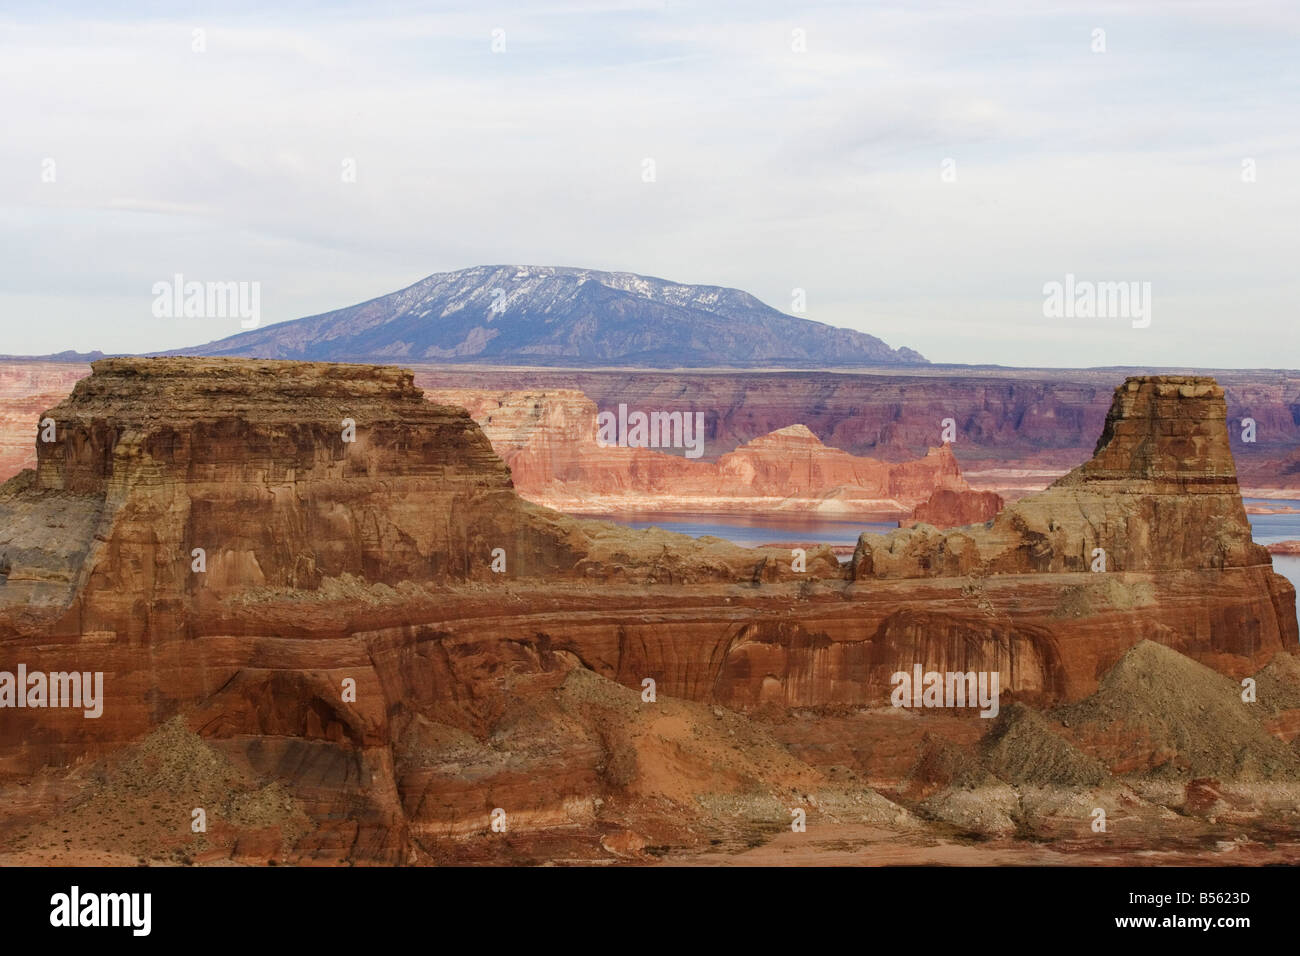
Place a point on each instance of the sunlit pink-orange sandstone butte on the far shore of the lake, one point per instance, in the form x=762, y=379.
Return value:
x=549, y=440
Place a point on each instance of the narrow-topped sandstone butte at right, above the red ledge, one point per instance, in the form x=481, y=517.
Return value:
x=1159, y=495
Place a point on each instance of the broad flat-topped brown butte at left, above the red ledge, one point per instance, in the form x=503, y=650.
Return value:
x=280, y=474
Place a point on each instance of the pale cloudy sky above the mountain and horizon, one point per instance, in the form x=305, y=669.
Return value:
x=920, y=171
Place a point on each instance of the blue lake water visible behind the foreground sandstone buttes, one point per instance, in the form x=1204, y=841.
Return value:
x=752, y=531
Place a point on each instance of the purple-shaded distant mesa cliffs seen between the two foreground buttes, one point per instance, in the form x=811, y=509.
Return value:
x=891, y=417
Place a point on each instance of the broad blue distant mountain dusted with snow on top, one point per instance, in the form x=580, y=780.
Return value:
x=530, y=315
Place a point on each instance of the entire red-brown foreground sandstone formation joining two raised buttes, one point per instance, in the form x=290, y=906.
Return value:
x=371, y=561
